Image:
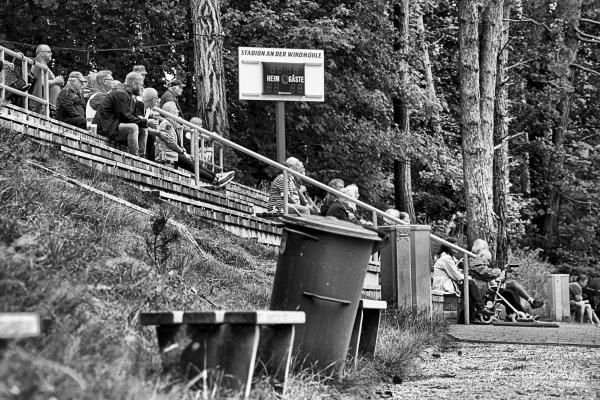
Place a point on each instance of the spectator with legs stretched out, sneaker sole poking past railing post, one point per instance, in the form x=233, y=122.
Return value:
x=169, y=151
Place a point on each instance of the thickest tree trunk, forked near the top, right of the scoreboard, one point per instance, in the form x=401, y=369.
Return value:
x=476, y=120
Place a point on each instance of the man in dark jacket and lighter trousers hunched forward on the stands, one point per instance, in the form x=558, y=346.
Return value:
x=115, y=118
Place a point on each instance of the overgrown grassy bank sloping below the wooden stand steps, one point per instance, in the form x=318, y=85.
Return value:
x=91, y=265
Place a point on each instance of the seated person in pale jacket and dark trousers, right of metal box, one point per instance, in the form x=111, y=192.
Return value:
x=447, y=279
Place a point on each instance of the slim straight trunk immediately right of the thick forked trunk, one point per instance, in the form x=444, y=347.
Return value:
x=501, y=172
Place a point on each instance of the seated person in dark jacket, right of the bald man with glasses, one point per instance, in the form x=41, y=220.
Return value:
x=70, y=105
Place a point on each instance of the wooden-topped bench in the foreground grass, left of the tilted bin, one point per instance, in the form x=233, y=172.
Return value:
x=226, y=344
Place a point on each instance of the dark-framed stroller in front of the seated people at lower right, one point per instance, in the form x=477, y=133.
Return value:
x=494, y=298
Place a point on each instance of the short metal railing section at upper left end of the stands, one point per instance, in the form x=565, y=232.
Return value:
x=25, y=63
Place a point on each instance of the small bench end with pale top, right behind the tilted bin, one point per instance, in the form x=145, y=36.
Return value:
x=366, y=328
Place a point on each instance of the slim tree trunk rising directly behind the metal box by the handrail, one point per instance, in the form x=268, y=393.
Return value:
x=402, y=170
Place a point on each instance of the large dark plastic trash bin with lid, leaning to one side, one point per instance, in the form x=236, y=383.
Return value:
x=320, y=270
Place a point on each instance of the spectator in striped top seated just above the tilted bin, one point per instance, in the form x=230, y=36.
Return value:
x=295, y=202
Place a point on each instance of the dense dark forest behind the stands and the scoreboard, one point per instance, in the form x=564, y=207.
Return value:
x=395, y=117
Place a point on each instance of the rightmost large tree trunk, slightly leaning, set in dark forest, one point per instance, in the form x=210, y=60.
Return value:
x=568, y=12
